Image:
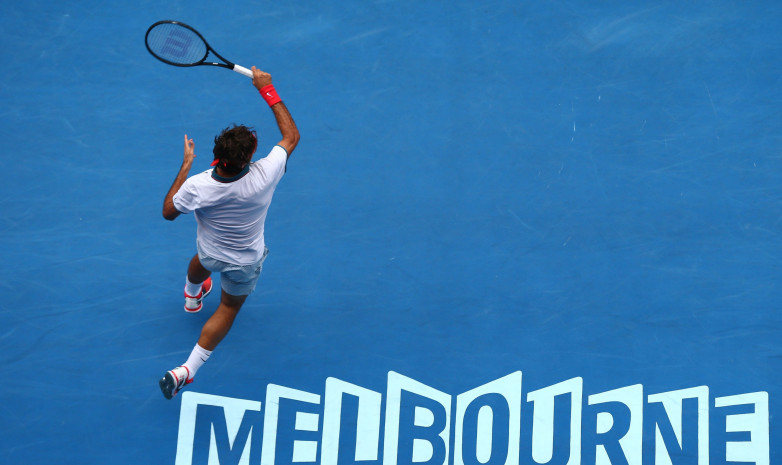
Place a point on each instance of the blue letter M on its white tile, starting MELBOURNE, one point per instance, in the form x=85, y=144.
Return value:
x=218, y=430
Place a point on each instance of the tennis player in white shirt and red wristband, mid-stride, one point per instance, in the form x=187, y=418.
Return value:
x=230, y=203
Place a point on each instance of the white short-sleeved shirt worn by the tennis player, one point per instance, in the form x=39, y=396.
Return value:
x=231, y=212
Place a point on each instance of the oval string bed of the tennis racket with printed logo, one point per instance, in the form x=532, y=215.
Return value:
x=176, y=44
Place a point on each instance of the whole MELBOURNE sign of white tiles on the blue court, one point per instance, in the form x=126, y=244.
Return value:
x=560, y=425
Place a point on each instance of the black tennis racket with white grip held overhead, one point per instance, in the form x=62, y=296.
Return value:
x=178, y=44
